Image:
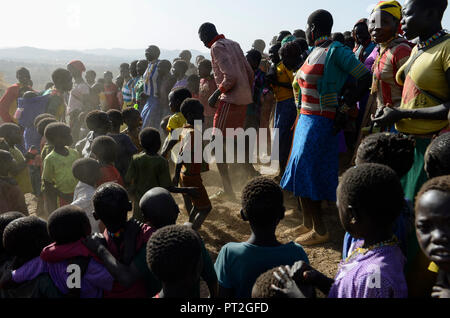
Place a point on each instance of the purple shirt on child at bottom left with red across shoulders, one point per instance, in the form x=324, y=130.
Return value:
x=94, y=281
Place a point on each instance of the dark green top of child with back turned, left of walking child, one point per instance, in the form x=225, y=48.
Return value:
x=147, y=172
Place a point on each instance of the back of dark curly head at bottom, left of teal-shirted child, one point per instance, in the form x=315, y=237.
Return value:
x=174, y=254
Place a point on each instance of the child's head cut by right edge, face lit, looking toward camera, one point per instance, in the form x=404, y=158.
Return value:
x=433, y=221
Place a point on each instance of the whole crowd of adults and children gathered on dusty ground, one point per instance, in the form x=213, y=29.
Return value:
x=375, y=99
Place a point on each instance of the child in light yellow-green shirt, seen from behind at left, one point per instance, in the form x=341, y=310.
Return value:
x=57, y=178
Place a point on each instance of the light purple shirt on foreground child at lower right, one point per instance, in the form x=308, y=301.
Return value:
x=376, y=274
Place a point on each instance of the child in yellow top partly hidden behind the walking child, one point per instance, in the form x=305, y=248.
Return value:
x=177, y=120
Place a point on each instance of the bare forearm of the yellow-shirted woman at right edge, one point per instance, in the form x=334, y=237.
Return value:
x=387, y=116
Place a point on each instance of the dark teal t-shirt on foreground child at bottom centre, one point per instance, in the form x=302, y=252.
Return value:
x=240, y=264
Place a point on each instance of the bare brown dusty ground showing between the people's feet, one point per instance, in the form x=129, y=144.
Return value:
x=224, y=225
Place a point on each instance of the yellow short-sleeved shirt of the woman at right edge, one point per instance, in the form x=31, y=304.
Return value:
x=426, y=74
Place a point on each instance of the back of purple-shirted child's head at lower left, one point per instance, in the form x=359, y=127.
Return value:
x=68, y=224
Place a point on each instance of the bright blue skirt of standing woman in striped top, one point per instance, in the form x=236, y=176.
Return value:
x=312, y=170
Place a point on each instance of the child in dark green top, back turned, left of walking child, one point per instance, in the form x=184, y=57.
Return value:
x=148, y=170
